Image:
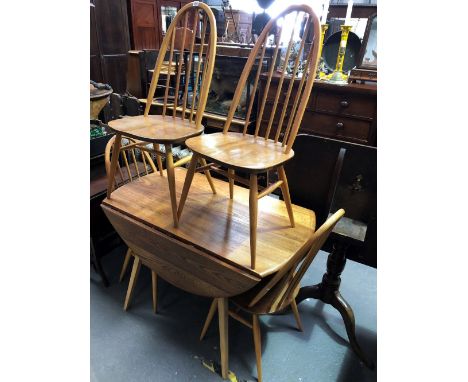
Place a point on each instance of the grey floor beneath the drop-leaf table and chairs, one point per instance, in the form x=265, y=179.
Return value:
x=138, y=345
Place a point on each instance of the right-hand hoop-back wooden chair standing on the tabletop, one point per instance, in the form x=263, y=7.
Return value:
x=254, y=154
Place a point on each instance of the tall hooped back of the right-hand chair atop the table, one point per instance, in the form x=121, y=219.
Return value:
x=302, y=93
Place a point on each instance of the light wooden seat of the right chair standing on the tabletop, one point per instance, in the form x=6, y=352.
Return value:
x=241, y=152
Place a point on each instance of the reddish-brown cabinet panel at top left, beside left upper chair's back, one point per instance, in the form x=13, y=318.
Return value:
x=145, y=24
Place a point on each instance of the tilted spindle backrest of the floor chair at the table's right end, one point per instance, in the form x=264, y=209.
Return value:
x=290, y=275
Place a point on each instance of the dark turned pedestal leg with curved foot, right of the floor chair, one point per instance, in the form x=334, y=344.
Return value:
x=328, y=291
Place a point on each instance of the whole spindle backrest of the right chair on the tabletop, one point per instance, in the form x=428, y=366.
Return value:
x=301, y=77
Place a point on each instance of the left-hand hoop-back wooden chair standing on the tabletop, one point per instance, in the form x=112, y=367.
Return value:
x=185, y=119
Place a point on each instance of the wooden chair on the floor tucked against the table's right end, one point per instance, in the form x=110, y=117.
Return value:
x=278, y=291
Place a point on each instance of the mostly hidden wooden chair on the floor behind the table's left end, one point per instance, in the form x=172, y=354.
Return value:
x=133, y=169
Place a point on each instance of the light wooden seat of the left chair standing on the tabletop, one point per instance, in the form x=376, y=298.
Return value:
x=156, y=128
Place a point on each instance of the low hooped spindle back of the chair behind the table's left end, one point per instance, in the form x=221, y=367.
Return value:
x=129, y=150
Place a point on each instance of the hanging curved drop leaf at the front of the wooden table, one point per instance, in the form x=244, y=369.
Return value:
x=180, y=264
